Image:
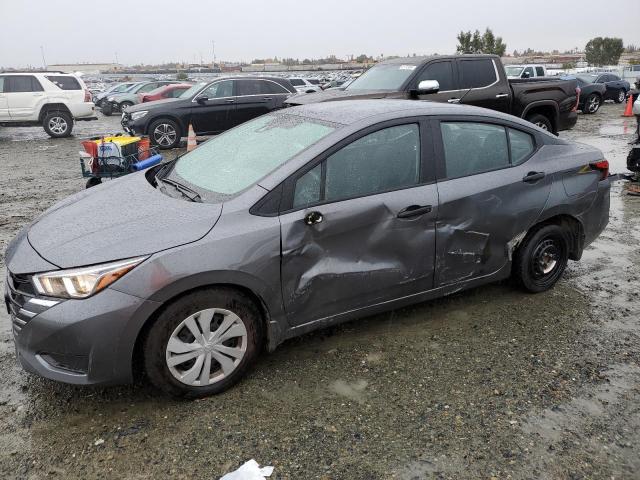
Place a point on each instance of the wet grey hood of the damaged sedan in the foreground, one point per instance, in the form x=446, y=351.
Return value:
x=119, y=219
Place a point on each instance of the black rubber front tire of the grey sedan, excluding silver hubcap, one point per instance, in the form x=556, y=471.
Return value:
x=156, y=341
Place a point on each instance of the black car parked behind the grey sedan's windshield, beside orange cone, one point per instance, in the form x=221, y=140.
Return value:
x=210, y=108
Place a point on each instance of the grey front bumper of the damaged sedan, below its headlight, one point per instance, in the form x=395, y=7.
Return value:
x=89, y=341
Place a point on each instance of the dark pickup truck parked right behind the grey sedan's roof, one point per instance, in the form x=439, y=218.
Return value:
x=477, y=80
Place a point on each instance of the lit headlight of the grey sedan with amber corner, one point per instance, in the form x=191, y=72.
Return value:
x=82, y=282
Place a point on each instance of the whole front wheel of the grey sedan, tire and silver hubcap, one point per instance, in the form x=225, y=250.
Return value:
x=203, y=343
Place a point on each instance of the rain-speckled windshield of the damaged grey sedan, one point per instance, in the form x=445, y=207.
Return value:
x=235, y=160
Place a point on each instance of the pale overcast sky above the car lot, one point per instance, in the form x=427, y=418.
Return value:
x=163, y=30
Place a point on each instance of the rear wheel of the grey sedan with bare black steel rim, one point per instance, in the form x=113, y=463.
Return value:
x=546, y=247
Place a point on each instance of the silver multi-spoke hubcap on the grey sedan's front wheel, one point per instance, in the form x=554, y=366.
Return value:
x=206, y=347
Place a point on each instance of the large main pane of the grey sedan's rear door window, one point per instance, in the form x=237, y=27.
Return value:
x=471, y=148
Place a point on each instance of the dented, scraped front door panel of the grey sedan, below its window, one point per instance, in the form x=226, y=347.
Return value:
x=363, y=251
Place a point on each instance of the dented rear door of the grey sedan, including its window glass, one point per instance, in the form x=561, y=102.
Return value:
x=482, y=216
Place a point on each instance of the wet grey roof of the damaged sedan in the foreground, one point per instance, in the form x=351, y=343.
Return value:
x=348, y=112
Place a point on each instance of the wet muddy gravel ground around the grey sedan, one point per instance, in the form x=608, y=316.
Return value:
x=488, y=383
